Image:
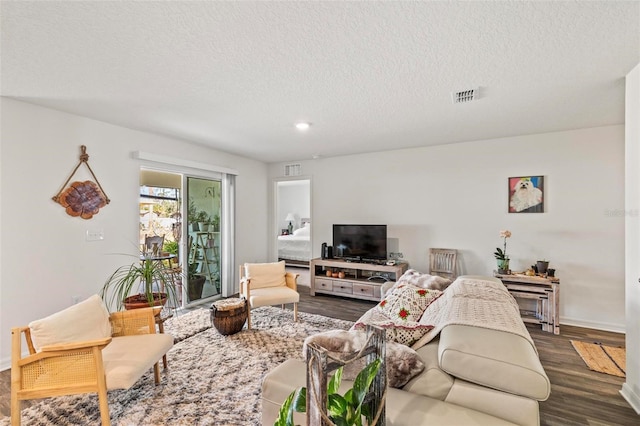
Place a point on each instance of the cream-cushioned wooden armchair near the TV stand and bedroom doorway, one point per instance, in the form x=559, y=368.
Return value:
x=266, y=284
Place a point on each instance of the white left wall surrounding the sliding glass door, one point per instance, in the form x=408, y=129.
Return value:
x=45, y=258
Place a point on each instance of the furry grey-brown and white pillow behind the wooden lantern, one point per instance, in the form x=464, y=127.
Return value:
x=403, y=363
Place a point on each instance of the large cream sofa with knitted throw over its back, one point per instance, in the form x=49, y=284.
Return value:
x=473, y=375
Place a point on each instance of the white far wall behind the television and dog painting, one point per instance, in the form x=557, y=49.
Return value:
x=455, y=196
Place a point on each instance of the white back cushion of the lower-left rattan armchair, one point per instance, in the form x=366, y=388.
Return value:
x=87, y=320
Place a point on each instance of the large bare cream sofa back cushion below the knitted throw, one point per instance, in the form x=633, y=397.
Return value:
x=496, y=359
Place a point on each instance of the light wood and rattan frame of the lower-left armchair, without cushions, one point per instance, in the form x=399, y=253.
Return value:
x=71, y=368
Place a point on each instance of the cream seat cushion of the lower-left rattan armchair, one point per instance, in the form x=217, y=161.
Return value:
x=127, y=358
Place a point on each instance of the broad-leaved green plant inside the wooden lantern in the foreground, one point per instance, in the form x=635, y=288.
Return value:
x=343, y=410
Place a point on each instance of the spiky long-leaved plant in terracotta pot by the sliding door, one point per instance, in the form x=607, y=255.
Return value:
x=138, y=285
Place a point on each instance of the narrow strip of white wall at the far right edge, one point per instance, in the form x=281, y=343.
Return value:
x=631, y=387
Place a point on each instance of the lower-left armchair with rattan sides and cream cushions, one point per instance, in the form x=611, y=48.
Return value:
x=72, y=367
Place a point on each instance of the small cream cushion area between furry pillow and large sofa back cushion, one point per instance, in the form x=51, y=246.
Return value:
x=432, y=381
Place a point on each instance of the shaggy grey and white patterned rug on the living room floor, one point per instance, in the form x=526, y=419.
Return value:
x=212, y=379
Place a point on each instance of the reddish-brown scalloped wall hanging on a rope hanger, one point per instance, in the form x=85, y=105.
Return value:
x=82, y=199
